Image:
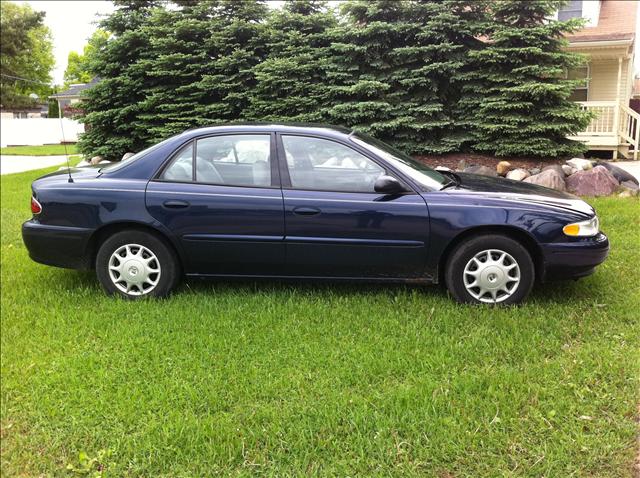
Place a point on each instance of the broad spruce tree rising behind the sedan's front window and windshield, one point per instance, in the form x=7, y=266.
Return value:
x=394, y=70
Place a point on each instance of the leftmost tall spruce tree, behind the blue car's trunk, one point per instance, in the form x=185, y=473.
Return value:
x=113, y=106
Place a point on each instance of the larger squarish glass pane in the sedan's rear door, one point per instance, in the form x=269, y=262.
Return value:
x=234, y=160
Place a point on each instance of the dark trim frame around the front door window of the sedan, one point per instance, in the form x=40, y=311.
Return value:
x=286, y=183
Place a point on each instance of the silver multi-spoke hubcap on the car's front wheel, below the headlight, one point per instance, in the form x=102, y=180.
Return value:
x=491, y=276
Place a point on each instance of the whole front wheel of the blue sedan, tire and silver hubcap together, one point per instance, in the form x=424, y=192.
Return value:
x=490, y=269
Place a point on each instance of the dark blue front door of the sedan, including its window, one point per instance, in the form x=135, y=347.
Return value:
x=336, y=224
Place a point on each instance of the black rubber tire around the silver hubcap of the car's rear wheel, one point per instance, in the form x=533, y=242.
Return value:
x=166, y=279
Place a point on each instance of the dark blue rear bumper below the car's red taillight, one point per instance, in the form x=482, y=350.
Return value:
x=59, y=246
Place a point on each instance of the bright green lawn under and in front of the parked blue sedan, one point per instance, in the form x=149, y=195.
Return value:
x=291, y=379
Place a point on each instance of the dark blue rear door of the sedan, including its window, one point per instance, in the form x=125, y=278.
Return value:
x=220, y=196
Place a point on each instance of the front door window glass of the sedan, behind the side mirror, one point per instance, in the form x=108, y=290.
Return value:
x=324, y=165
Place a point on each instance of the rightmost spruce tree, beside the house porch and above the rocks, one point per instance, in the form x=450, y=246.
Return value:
x=522, y=105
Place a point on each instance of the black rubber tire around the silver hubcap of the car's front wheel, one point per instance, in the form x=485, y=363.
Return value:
x=464, y=253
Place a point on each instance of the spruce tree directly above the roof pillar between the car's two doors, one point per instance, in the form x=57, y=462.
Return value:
x=290, y=81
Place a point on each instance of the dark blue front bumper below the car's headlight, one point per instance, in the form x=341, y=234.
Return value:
x=572, y=260
